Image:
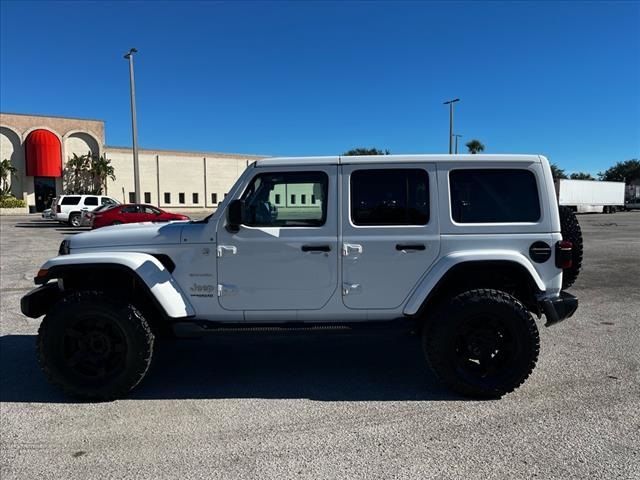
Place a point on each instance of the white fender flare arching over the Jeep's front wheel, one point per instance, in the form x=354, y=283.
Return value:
x=148, y=269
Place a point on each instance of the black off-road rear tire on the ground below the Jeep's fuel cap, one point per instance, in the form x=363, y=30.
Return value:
x=444, y=336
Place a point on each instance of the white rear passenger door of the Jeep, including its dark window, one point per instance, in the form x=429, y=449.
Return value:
x=390, y=234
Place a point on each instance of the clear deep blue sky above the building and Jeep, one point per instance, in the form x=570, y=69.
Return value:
x=303, y=78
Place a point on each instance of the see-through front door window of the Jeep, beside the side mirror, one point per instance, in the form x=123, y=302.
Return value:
x=263, y=208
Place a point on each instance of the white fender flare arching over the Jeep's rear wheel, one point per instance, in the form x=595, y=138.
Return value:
x=440, y=269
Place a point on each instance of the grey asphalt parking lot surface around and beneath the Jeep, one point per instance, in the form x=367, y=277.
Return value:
x=332, y=406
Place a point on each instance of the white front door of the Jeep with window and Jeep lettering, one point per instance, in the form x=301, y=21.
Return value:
x=285, y=255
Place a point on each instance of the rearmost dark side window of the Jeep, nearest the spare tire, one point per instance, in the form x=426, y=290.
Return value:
x=494, y=196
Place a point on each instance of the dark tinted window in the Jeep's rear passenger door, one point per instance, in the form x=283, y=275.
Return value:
x=390, y=197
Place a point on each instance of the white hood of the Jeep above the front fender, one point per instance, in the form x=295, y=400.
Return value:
x=128, y=234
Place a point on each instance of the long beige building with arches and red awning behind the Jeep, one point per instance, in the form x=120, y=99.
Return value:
x=39, y=147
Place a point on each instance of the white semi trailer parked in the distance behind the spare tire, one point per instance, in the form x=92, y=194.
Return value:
x=585, y=196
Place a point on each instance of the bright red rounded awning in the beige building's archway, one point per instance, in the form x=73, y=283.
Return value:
x=43, y=154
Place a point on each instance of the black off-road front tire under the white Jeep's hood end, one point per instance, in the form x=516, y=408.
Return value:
x=59, y=329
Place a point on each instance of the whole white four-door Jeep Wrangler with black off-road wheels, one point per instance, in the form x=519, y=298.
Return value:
x=463, y=249
